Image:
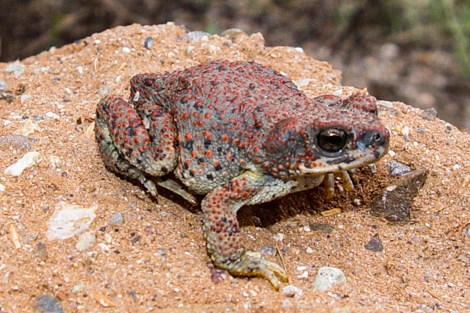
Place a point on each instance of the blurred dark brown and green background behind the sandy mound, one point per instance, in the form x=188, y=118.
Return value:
x=416, y=51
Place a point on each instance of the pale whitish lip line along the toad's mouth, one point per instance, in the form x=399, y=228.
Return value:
x=326, y=165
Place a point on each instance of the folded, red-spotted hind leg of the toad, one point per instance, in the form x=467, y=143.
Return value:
x=134, y=143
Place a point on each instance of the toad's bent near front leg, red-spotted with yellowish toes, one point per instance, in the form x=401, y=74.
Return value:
x=222, y=231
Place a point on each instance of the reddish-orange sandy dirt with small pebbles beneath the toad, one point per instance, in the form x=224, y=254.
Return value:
x=156, y=260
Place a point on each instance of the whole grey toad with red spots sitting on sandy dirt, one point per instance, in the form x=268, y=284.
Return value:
x=239, y=133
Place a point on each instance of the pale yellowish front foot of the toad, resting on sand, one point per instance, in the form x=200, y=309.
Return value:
x=254, y=264
